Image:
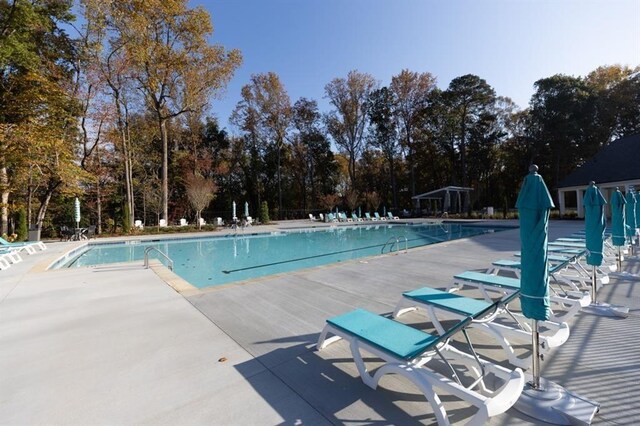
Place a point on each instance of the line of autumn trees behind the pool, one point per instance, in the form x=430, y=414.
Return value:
x=116, y=111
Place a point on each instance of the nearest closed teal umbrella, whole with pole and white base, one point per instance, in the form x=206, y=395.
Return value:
x=540, y=399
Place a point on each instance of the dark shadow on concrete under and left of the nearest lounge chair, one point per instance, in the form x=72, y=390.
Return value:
x=328, y=381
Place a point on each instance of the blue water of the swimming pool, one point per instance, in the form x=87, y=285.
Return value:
x=205, y=262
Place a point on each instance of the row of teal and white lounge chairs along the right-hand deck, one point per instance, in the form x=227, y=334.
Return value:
x=410, y=351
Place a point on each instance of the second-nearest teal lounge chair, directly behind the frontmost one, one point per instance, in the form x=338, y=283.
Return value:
x=440, y=305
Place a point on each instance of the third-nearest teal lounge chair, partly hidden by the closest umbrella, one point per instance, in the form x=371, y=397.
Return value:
x=488, y=283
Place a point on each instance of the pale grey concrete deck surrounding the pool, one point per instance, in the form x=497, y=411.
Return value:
x=116, y=344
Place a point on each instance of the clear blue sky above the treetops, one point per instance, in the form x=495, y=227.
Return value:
x=509, y=43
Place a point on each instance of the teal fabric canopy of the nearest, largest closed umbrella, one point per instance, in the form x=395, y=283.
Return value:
x=534, y=203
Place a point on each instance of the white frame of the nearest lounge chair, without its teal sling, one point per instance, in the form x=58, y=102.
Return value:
x=489, y=403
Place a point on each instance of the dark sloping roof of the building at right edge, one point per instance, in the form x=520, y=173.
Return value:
x=619, y=161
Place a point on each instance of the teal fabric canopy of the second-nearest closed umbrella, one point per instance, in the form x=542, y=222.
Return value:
x=594, y=223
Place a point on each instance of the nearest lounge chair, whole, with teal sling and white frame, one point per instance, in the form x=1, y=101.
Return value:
x=406, y=351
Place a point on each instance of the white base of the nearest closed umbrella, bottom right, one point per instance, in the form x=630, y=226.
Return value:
x=551, y=403
